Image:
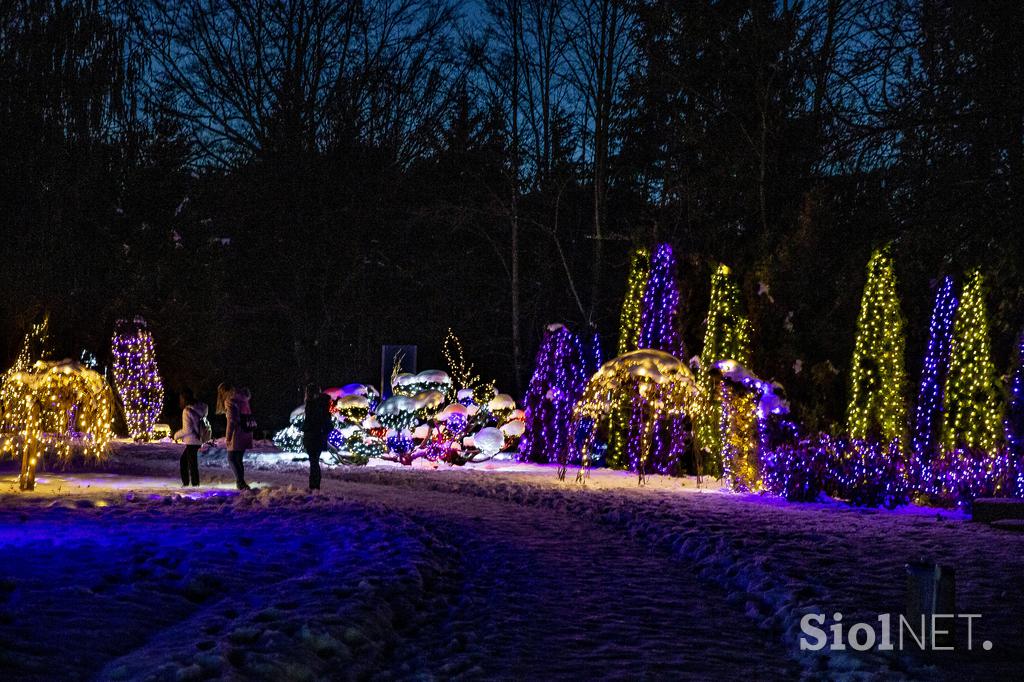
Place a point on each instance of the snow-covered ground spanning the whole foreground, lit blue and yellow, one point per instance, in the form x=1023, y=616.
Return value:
x=495, y=571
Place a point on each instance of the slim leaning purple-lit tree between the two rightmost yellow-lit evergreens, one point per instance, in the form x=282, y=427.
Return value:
x=933, y=375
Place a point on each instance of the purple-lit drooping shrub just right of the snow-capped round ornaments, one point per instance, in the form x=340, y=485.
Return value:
x=559, y=381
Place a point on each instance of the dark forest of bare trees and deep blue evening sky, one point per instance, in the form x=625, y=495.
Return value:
x=280, y=187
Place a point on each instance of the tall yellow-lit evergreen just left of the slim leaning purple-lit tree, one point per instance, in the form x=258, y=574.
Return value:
x=878, y=406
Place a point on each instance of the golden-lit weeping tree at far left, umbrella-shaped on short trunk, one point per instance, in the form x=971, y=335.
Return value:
x=63, y=407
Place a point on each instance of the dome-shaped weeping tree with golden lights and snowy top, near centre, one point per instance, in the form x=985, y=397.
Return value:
x=664, y=395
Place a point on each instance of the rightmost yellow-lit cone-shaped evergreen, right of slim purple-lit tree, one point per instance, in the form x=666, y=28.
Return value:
x=973, y=411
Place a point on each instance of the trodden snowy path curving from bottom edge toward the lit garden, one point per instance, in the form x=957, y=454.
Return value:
x=535, y=593
